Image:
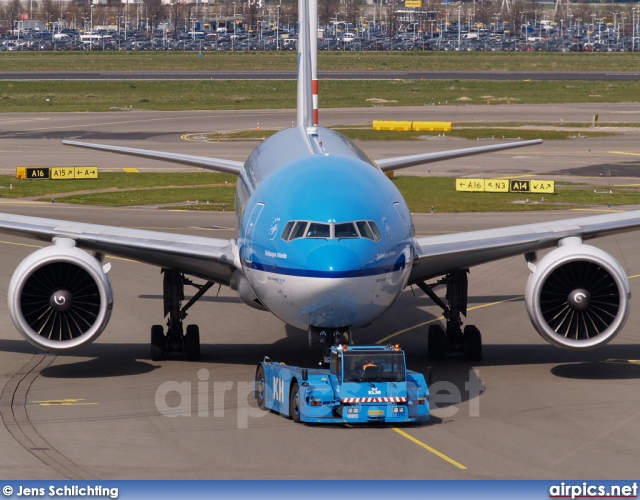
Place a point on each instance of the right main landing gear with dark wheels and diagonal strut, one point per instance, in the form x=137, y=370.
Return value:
x=453, y=340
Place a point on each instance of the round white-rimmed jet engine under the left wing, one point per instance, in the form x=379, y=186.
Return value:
x=60, y=297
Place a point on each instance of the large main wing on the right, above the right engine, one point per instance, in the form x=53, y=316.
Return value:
x=438, y=255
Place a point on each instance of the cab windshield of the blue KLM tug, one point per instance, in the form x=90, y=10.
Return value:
x=376, y=366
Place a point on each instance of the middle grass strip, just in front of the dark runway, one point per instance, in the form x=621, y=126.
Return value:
x=56, y=96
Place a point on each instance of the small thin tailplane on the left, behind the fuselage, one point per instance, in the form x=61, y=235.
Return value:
x=216, y=164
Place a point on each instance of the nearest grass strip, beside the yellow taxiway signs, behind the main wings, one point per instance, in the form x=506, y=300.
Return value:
x=182, y=190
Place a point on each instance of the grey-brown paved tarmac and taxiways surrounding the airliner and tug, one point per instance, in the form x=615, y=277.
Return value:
x=528, y=410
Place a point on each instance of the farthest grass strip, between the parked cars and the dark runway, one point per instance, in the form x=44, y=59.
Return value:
x=334, y=61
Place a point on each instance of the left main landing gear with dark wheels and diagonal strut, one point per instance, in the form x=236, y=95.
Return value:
x=176, y=341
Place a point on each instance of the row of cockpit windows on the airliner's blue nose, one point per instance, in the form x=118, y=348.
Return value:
x=305, y=229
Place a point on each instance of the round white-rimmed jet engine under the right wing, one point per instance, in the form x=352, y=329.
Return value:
x=577, y=296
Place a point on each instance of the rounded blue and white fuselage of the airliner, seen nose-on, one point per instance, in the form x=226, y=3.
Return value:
x=325, y=239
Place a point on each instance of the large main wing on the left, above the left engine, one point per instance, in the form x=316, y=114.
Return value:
x=207, y=258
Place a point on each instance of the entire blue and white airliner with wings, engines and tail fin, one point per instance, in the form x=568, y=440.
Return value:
x=325, y=242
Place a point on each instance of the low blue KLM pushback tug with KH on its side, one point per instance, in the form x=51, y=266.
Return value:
x=363, y=384
